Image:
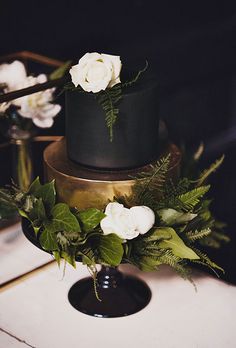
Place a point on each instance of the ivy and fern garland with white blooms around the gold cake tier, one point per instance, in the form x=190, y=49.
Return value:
x=161, y=222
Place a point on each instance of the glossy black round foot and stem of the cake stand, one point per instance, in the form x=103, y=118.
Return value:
x=120, y=295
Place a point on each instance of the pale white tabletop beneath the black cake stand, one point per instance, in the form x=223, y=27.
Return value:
x=35, y=311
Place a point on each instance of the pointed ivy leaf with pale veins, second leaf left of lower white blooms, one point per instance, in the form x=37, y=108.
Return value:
x=63, y=219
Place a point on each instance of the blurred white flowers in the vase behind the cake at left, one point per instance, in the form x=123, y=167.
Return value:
x=37, y=108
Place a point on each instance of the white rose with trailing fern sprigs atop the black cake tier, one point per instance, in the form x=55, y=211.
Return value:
x=100, y=74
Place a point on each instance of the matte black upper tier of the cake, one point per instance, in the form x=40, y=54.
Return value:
x=135, y=141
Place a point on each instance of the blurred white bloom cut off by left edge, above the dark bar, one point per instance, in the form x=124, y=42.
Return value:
x=12, y=74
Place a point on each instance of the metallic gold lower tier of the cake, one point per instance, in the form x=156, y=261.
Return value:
x=85, y=188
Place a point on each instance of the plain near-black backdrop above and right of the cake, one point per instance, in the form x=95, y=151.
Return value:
x=191, y=47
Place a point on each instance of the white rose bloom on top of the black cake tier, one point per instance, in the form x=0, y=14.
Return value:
x=96, y=72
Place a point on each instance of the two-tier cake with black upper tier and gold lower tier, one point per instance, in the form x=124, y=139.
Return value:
x=89, y=169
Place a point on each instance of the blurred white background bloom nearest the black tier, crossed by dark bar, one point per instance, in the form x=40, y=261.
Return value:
x=37, y=106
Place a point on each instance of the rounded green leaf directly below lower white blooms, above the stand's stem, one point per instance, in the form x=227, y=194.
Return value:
x=111, y=249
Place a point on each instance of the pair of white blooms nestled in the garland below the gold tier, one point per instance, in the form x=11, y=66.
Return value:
x=127, y=223
